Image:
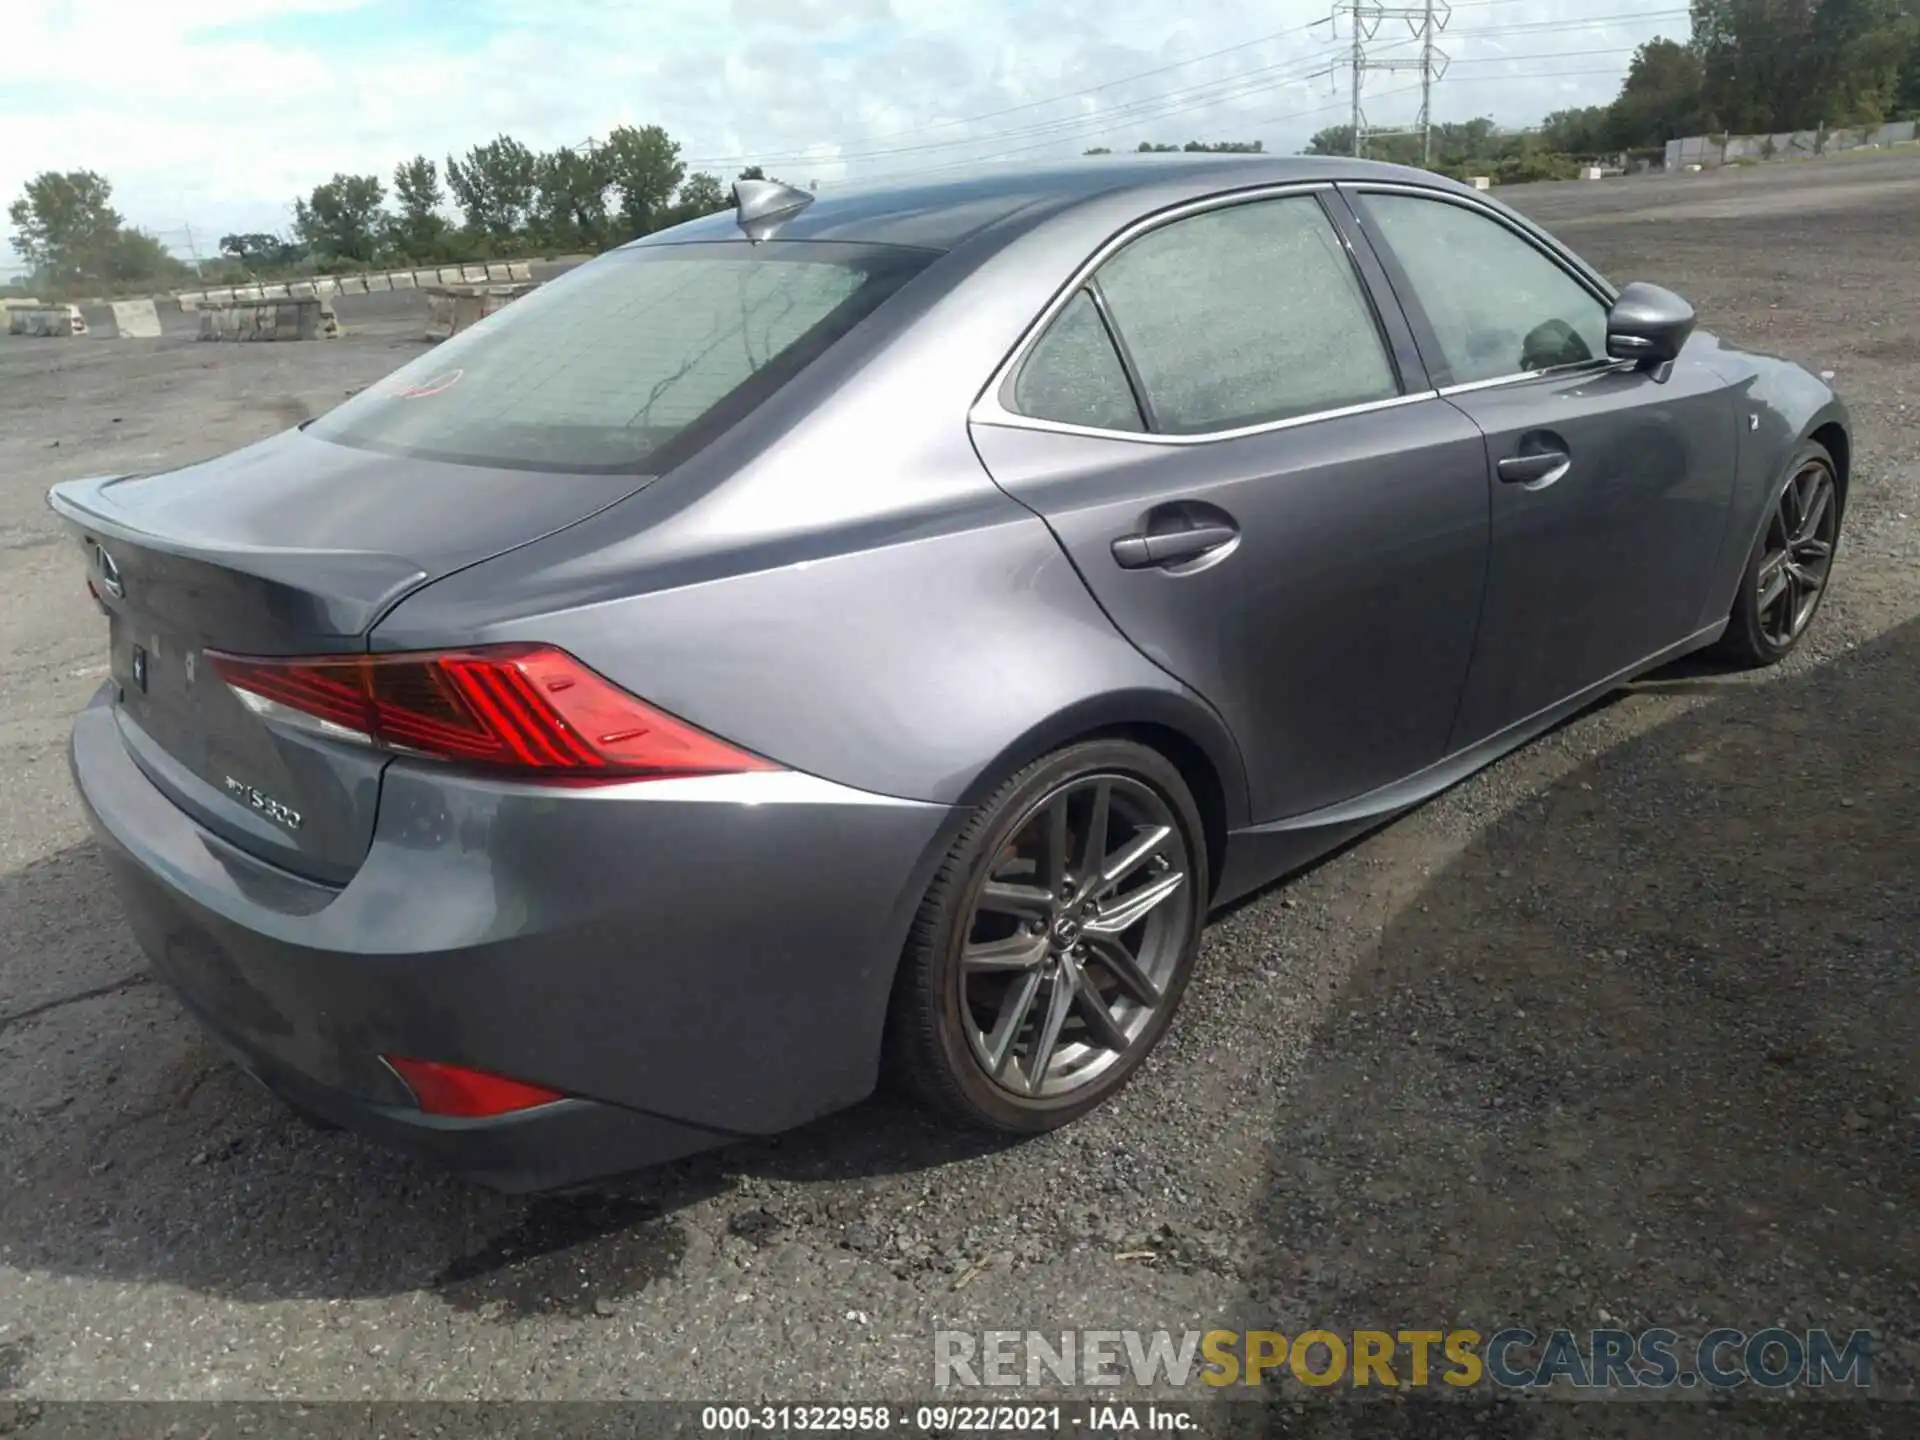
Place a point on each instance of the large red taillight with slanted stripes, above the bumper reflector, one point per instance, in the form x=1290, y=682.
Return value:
x=529, y=709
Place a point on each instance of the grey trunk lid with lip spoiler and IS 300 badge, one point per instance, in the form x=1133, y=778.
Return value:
x=293, y=546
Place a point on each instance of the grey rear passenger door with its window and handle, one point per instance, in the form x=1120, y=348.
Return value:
x=1245, y=460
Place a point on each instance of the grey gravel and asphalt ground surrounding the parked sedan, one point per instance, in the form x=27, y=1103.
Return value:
x=1621, y=1028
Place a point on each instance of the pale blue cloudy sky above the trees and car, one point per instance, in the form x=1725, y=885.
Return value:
x=212, y=114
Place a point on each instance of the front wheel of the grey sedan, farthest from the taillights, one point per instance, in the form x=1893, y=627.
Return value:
x=1790, y=567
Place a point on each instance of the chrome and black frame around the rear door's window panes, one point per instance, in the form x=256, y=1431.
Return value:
x=992, y=410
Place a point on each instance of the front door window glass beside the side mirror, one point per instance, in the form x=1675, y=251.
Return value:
x=1499, y=306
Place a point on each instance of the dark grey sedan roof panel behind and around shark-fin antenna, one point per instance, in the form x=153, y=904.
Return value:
x=942, y=210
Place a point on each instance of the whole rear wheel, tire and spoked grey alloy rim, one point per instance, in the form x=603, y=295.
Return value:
x=1055, y=944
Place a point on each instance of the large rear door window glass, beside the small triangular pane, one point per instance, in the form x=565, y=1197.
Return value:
x=1247, y=316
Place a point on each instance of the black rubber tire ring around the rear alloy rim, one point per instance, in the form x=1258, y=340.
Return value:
x=996, y=1105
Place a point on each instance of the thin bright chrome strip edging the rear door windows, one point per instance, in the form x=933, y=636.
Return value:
x=988, y=408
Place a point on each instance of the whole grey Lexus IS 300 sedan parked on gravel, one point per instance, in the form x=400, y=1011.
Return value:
x=869, y=633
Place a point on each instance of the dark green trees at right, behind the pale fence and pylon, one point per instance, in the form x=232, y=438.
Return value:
x=1750, y=68
